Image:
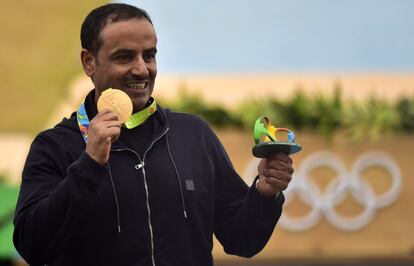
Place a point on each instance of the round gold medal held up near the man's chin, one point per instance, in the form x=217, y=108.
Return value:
x=117, y=101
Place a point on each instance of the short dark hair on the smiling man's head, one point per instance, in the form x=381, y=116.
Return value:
x=98, y=18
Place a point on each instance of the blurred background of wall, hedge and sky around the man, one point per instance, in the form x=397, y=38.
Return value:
x=338, y=73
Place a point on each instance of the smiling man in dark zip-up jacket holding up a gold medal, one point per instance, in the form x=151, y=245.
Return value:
x=152, y=191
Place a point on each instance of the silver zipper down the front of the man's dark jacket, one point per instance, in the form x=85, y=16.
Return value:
x=141, y=165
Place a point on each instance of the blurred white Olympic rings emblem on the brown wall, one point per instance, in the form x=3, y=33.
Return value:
x=324, y=202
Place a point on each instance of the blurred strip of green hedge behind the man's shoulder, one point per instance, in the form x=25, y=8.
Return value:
x=319, y=113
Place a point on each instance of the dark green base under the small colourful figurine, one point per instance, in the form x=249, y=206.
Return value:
x=267, y=149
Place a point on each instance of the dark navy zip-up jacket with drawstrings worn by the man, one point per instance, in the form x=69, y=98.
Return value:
x=160, y=208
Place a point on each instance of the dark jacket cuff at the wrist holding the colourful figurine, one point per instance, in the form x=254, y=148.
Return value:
x=264, y=207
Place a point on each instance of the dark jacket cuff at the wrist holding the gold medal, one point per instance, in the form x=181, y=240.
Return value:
x=89, y=168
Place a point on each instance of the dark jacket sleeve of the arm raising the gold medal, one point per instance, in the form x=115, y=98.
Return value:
x=54, y=196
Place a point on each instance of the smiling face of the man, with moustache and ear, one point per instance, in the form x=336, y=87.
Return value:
x=125, y=60
